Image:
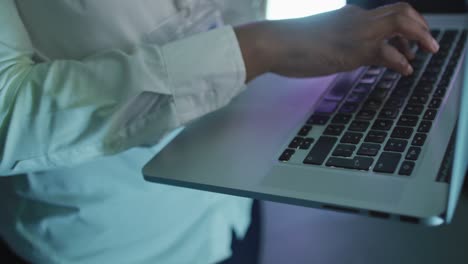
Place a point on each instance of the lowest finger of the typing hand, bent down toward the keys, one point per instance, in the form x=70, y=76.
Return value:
x=391, y=58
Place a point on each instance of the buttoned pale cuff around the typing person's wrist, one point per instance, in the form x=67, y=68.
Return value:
x=205, y=72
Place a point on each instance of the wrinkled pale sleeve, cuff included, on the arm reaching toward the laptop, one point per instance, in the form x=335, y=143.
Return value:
x=64, y=112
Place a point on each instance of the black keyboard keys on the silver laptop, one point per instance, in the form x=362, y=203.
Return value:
x=381, y=122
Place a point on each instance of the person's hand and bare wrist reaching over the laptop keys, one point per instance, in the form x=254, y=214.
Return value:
x=336, y=41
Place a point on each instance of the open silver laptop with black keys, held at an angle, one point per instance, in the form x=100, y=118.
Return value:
x=369, y=142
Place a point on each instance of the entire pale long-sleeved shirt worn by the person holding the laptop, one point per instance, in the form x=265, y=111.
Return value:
x=87, y=89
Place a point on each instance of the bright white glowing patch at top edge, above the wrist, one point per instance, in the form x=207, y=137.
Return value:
x=281, y=9
